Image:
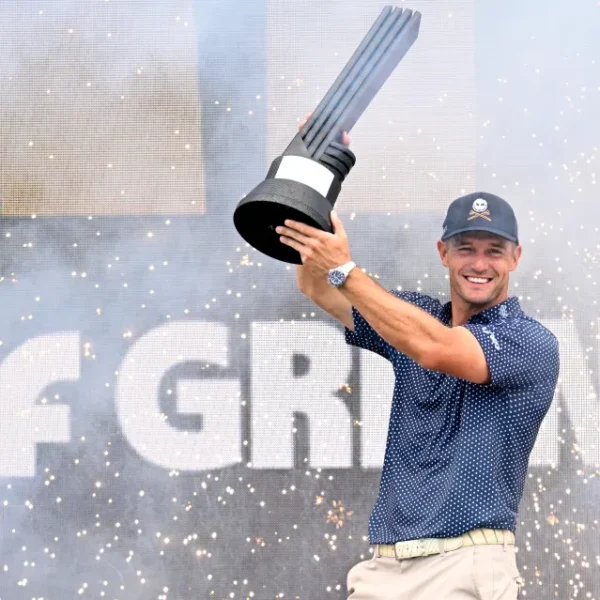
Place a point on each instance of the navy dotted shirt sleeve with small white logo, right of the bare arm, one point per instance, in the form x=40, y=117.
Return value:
x=518, y=353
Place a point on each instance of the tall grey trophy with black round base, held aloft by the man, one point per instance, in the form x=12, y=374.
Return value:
x=304, y=182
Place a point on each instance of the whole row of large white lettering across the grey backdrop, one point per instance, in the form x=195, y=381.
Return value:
x=295, y=369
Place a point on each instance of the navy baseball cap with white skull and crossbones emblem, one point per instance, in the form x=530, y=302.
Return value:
x=481, y=212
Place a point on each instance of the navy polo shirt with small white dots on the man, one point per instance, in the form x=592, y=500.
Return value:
x=457, y=452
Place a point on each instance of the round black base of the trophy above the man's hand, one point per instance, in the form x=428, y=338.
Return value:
x=269, y=204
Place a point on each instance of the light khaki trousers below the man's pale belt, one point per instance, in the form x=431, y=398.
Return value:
x=469, y=573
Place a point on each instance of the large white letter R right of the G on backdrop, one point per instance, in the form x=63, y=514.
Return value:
x=277, y=394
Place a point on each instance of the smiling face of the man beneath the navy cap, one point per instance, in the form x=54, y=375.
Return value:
x=479, y=264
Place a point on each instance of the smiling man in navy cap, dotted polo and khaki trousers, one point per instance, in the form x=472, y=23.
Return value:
x=474, y=379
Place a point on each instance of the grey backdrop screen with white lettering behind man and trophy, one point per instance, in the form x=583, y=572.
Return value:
x=177, y=420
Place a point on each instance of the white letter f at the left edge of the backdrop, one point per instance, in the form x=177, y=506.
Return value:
x=24, y=375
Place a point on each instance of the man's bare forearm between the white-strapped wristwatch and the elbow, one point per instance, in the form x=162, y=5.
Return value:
x=406, y=327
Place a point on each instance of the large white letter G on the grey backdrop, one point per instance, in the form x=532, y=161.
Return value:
x=218, y=443
